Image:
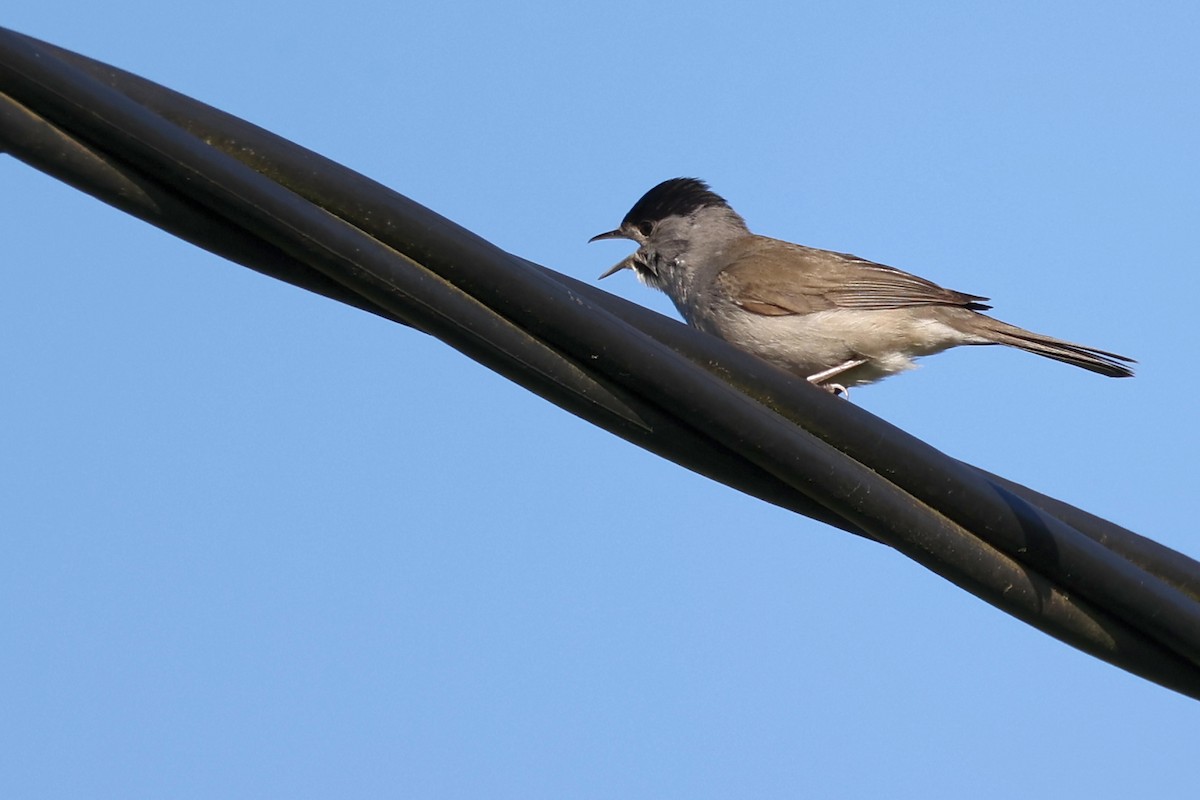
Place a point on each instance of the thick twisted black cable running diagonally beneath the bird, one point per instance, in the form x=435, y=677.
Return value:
x=261, y=201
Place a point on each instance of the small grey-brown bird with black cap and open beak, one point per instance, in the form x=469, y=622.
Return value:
x=836, y=320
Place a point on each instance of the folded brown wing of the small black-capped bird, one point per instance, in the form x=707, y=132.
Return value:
x=775, y=279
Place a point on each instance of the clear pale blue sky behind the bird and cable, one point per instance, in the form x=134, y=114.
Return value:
x=261, y=545
